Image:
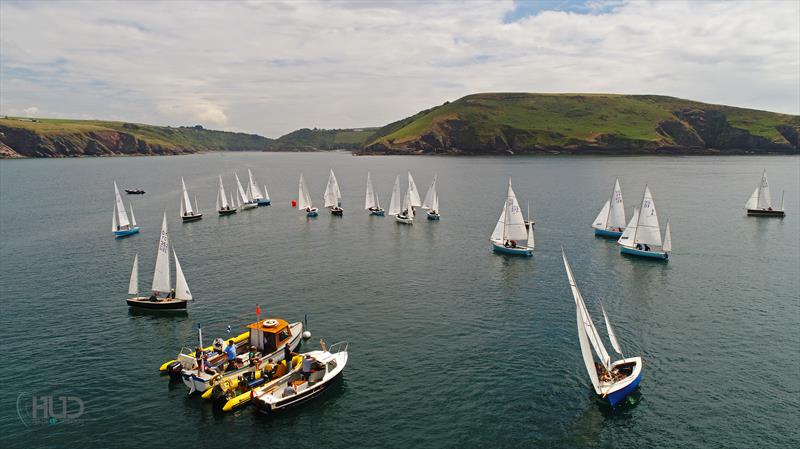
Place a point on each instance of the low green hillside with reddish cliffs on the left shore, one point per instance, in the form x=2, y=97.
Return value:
x=23, y=137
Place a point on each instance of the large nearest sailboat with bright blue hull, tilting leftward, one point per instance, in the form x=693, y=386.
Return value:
x=612, y=381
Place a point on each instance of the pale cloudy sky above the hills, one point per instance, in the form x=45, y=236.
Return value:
x=272, y=67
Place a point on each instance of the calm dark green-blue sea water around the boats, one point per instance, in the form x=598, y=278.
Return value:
x=450, y=344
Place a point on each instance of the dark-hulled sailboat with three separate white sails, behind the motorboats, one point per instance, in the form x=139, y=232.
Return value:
x=176, y=298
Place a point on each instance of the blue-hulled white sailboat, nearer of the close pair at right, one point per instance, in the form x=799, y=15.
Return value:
x=643, y=231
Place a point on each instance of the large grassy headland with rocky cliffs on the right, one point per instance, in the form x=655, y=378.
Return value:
x=511, y=123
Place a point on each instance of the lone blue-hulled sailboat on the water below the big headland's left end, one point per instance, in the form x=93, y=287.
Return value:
x=511, y=228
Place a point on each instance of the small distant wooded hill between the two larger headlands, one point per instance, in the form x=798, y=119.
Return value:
x=323, y=139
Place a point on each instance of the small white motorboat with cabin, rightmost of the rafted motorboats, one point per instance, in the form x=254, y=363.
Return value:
x=327, y=366
